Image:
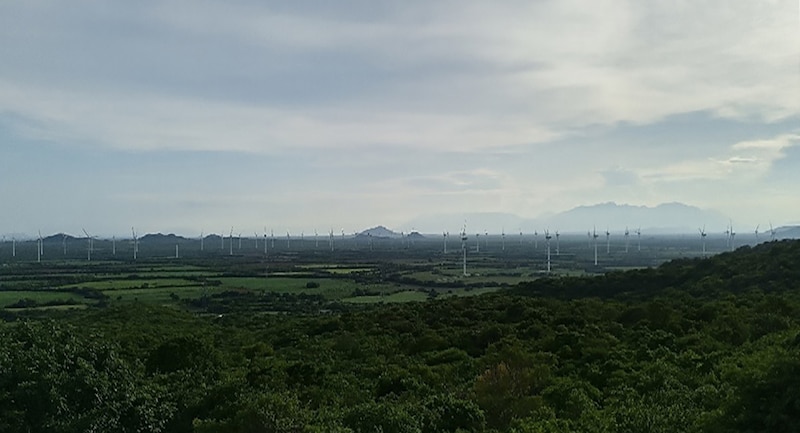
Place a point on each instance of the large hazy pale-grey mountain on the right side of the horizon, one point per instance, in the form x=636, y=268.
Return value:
x=664, y=218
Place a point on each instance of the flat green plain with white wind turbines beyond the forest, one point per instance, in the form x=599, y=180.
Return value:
x=423, y=266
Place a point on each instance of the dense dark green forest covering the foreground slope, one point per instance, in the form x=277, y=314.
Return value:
x=695, y=345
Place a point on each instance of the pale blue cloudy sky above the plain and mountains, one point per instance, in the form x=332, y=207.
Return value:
x=192, y=116
